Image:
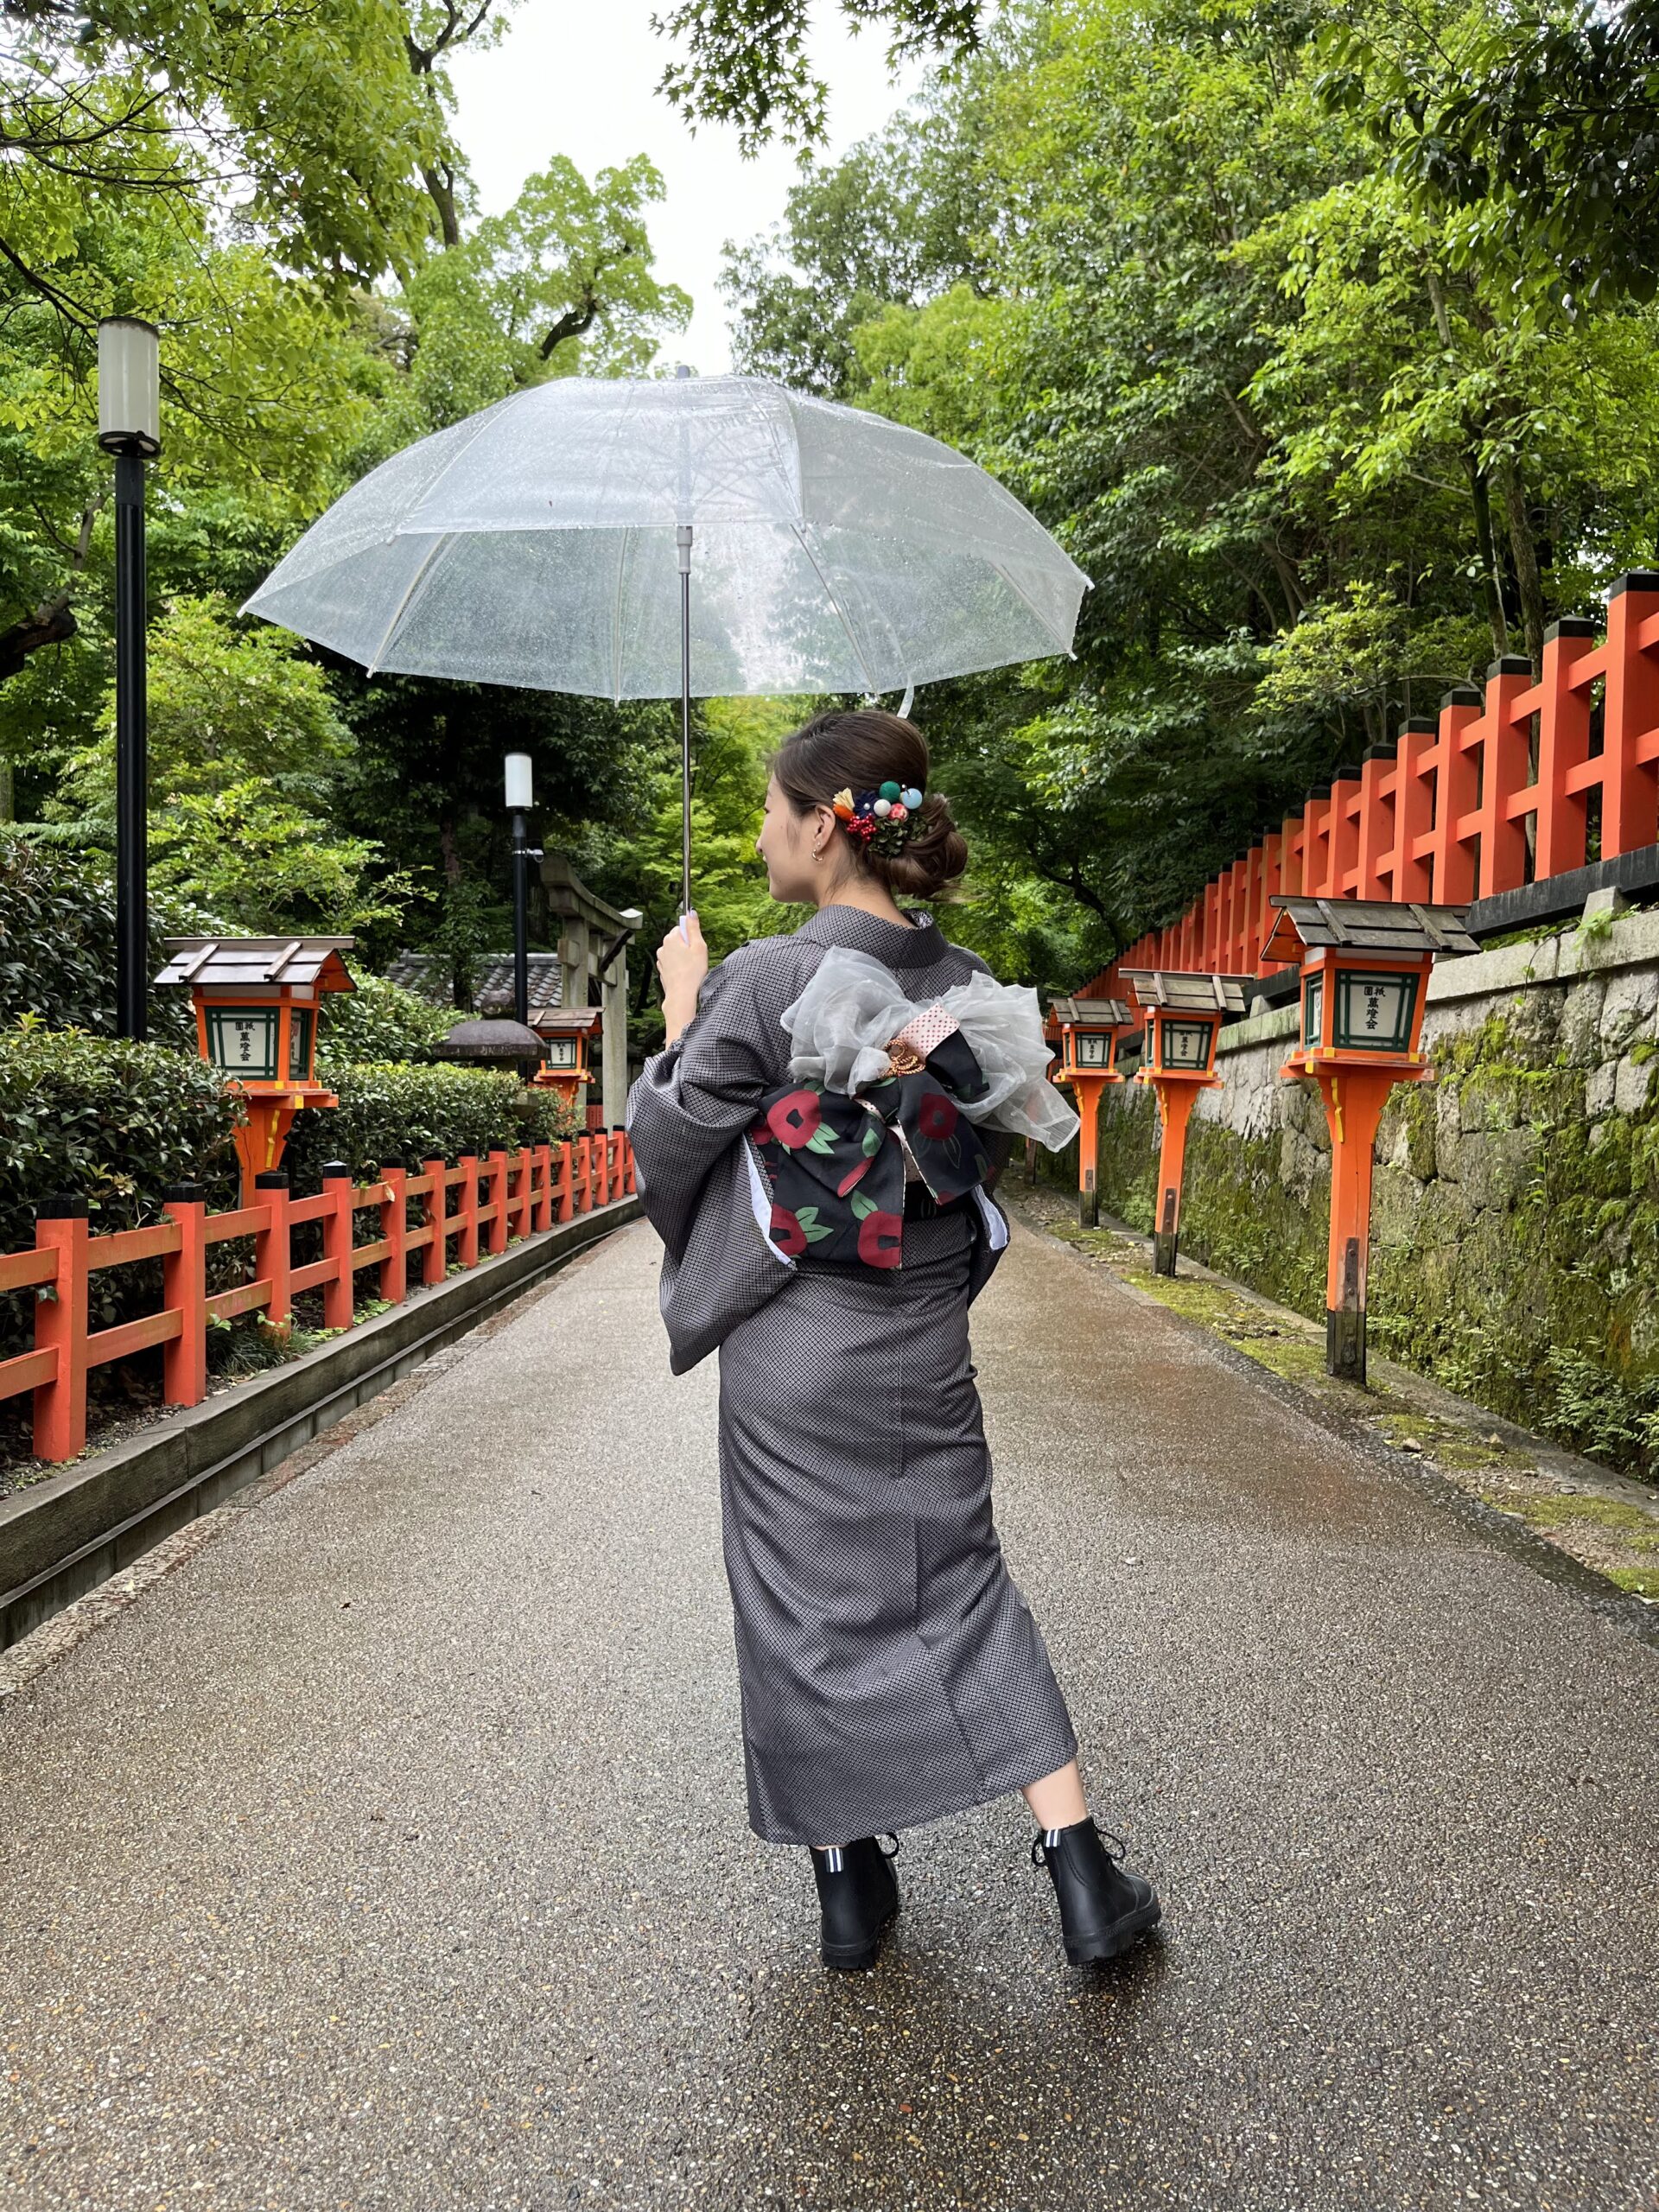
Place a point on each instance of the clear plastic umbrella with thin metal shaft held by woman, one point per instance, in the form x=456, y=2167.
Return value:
x=698, y=536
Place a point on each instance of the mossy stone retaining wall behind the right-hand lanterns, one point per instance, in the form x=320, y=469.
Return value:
x=1516, y=1218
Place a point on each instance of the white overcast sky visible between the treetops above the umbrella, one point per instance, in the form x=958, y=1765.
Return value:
x=576, y=79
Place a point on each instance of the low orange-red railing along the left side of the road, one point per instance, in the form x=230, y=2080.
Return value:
x=492, y=1200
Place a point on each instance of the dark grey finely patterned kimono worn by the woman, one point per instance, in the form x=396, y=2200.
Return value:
x=890, y=1669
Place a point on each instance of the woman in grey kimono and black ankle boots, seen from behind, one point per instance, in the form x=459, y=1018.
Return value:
x=890, y=1667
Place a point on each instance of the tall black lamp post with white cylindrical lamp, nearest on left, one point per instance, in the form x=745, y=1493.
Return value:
x=129, y=426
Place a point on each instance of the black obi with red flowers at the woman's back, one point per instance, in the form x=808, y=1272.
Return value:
x=837, y=1160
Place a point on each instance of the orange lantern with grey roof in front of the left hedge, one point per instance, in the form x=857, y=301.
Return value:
x=258, y=1003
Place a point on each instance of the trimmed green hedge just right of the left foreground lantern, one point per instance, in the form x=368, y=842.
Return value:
x=417, y=1114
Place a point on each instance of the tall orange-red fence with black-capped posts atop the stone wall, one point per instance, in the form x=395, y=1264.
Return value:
x=1507, y=786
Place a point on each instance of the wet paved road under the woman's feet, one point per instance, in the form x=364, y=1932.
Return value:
x=390, y=1853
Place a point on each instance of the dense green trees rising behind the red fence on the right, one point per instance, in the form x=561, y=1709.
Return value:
x=1319, y=457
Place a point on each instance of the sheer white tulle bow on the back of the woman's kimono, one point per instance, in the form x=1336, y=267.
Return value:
x=853, y=1012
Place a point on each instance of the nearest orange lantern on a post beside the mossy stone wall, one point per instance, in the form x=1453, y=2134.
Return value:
x=1366, y=979
